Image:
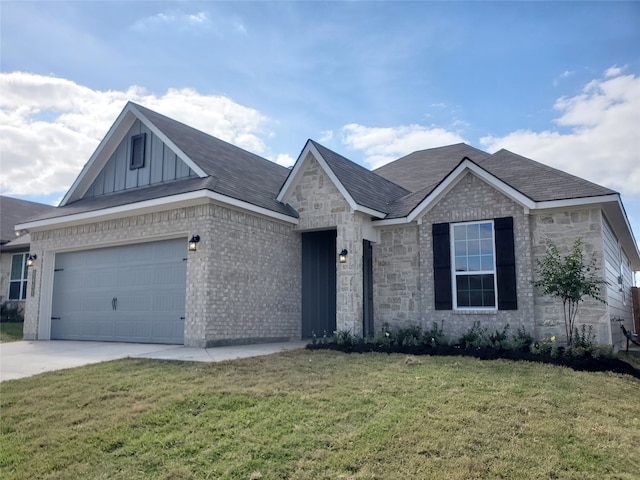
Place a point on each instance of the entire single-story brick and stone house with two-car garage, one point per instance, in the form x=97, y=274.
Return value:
x=447, y=234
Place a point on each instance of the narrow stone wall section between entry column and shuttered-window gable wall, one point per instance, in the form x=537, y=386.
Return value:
x=396, y=278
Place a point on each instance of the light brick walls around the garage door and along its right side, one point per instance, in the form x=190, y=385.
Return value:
x=242, y=283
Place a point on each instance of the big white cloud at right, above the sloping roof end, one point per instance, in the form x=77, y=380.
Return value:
x=602, y=143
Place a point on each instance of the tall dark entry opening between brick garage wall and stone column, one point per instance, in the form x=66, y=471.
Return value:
x=318, y=283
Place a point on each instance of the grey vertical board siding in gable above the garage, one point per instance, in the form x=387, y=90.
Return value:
x=161, y=164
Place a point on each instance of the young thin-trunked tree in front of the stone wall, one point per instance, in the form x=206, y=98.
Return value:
x=571, y=279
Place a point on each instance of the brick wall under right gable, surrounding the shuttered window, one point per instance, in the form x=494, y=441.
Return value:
x=472, y=199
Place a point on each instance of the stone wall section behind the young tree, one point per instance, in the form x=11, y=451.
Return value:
x=562, y=228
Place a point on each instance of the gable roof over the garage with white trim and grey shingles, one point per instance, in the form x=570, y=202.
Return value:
x=229, y=171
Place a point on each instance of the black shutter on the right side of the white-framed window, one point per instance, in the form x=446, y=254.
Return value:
x=505, y=264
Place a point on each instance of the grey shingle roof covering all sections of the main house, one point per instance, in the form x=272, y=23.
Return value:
x=394, y=189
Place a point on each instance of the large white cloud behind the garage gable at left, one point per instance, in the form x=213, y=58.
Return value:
x=49, y=126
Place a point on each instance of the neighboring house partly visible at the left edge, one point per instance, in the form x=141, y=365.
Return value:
x=14, y=249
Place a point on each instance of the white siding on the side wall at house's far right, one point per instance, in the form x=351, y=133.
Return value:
x=619, y=276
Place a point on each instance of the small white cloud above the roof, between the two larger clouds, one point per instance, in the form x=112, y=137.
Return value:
x=383, y=145
